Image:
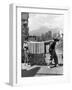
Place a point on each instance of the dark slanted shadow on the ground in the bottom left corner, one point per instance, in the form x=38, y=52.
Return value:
x=29, y=73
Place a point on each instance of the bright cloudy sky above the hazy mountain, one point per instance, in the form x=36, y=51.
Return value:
x=47, y=20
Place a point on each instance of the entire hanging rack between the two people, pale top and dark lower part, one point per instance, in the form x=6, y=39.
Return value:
x=37, y=51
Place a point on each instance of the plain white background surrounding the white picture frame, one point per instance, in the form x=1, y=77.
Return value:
x=4, y=42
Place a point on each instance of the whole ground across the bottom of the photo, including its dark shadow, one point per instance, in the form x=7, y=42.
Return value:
x=42, y=70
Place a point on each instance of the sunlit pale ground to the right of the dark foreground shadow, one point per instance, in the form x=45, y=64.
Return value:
x=44, y=70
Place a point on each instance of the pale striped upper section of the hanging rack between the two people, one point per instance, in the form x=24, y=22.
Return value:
x=38, y=47
